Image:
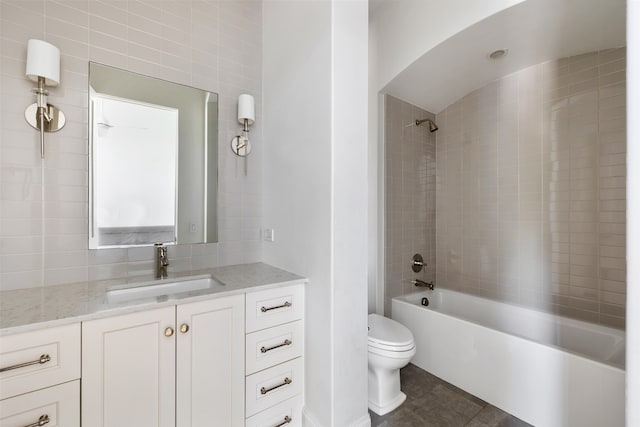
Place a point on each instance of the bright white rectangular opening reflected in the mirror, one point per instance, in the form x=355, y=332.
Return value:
x=135, y=202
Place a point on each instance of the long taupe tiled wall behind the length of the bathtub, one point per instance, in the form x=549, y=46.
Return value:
x=531, y=189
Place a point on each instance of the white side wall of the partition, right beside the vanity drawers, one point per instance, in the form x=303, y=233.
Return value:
x=297, y=179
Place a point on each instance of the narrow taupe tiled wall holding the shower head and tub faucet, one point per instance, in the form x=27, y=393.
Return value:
x=410, y=197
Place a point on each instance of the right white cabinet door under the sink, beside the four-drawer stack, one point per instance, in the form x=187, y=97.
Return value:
x=210, y=363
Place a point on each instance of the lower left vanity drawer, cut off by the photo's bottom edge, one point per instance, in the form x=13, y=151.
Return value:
x=60, y=404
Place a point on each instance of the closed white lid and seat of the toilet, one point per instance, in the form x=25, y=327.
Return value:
x=388, y=335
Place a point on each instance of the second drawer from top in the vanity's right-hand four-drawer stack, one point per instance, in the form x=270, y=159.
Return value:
x=273, y=346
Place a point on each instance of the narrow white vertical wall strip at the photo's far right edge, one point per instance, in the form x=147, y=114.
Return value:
x=633, y=214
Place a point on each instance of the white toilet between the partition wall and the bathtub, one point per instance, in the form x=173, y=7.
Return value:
x=391, y=347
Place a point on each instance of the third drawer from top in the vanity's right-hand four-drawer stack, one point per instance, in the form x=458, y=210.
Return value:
x=269, y=387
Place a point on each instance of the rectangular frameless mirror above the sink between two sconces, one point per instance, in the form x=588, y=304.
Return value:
x=153, y=168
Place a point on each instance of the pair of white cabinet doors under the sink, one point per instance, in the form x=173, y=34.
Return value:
x=179, y=365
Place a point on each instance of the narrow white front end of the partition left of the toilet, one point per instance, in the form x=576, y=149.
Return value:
x=349, y=165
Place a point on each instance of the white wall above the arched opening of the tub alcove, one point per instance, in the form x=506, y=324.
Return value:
x=409, y=28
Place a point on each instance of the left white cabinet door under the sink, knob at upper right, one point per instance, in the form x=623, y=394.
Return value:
x=128, y=370
